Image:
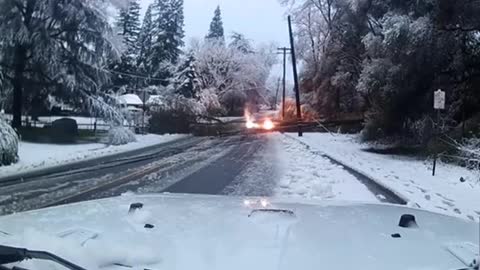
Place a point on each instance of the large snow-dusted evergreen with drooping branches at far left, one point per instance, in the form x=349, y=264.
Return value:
x=52, y=46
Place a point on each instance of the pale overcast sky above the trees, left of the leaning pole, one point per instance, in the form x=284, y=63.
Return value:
x=261, y=21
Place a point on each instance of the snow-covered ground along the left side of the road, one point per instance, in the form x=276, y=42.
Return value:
x=34, y=156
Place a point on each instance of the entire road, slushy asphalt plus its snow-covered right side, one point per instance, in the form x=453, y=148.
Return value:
x=251, y=165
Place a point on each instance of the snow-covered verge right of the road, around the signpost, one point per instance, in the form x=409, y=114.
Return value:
x=408, y=177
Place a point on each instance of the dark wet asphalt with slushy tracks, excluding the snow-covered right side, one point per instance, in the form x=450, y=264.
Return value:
x=206, y=165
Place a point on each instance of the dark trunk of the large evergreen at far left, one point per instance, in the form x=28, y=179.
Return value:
x=20, y=59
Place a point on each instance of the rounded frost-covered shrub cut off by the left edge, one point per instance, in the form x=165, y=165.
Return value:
x=8, y=144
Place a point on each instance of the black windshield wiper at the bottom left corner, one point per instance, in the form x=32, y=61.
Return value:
x=13, y=255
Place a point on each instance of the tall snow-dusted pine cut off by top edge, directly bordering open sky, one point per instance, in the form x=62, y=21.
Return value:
x=167, y=34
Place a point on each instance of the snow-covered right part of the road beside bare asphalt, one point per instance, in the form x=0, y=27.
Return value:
x=284, y=168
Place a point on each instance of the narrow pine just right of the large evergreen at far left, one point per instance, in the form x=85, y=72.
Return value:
x=129, y=26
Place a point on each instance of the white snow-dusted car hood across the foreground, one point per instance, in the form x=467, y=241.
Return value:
x=214, y=232
